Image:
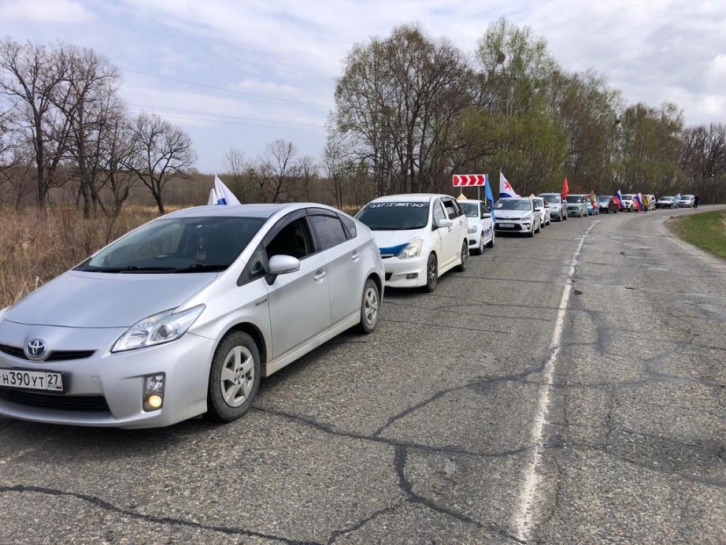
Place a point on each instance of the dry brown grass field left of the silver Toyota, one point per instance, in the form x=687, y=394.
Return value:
x=35, y=249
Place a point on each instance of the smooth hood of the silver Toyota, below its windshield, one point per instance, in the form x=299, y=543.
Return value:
x=99, y=300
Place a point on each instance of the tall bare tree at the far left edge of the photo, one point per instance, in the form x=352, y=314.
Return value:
x=30, y=75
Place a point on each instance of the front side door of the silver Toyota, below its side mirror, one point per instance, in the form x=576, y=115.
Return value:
x=299, y=301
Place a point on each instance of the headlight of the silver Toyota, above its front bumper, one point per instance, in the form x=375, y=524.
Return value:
x=157, y=329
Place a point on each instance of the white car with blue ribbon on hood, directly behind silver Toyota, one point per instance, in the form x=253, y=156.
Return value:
x=420, y=237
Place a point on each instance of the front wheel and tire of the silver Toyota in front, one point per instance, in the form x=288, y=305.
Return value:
x=237, y=358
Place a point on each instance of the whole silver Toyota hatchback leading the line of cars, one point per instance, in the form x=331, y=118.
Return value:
x=185, y=314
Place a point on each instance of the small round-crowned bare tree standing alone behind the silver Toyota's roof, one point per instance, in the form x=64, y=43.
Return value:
x=160, y=152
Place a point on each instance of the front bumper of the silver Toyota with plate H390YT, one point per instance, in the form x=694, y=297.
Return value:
x=114, y=382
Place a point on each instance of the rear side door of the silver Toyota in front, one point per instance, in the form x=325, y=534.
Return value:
x=343, y=260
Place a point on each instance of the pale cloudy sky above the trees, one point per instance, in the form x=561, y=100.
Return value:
x=243, y=73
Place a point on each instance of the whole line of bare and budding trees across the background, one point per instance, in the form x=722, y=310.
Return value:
x=410, y=111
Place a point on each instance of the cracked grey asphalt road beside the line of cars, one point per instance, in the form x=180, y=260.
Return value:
x=486, y=412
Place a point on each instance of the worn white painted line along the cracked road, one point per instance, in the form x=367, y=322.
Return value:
x=523, y=518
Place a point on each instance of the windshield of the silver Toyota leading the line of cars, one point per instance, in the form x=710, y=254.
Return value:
x=177, y=245
